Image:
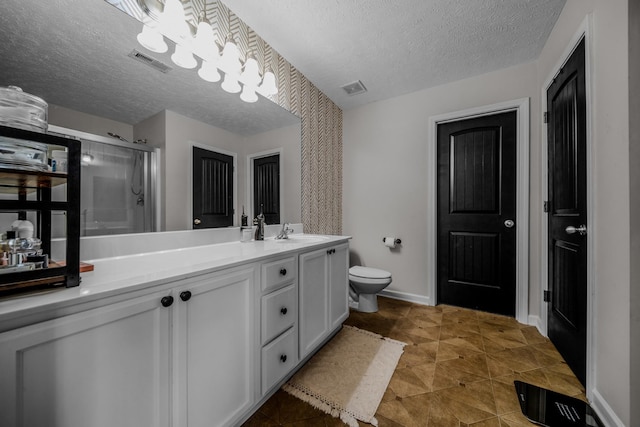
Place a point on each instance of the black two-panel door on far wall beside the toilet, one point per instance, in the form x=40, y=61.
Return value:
x=477, y=213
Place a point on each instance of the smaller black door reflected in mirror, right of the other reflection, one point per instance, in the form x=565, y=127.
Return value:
x=266, y=188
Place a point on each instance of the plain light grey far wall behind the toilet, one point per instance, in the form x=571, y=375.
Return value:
x=385, y=153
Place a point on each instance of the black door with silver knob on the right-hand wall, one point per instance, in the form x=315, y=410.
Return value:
x=566, y=127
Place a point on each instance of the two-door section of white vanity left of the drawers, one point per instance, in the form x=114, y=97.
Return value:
x=190, y=347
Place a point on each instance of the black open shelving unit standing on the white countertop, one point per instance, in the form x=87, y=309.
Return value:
x=21, y=184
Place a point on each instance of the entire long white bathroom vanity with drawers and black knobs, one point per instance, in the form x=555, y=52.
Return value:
x=198, y=348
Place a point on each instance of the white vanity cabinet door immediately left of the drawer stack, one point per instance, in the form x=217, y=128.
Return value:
x=215, y=351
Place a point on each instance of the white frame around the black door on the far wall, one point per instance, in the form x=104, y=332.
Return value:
x=521, y=106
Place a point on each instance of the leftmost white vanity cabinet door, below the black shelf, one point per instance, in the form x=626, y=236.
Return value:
x=101, y=368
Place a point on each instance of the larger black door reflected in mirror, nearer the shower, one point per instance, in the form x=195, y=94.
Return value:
x=212, y=189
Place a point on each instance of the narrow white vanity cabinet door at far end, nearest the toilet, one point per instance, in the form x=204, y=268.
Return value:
x=339, y=285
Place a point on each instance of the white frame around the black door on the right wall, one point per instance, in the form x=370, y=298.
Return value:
x=584, y=31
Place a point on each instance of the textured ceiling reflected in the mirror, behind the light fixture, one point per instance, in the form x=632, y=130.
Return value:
x=73, y=53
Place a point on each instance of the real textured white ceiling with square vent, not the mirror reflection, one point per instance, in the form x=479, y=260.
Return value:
x=397, y=47
